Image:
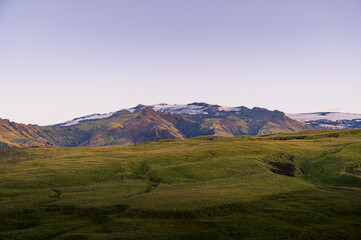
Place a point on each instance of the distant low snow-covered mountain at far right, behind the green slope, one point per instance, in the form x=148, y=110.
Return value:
x=329, y=120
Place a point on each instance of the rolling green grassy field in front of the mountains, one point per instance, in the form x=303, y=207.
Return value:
x=303, y=185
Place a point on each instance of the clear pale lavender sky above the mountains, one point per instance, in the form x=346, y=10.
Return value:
x=63, y=59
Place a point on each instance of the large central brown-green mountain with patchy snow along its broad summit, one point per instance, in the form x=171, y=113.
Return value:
x=157, y=122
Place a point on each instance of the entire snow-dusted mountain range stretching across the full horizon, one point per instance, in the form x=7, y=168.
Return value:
x=163, y=121
